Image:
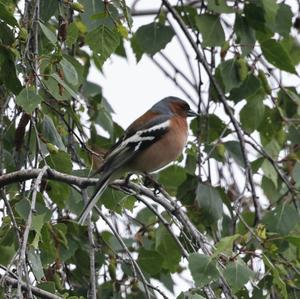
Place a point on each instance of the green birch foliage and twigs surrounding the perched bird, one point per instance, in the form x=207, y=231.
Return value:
x=236, y=186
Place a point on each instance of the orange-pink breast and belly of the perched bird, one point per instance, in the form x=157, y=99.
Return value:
x=165, y=150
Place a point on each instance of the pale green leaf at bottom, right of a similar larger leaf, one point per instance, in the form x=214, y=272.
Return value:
x=238, y=274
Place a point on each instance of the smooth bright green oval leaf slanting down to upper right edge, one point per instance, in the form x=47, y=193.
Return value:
x=277, y=55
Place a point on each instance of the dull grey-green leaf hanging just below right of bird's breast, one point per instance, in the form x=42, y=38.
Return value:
x=209, y=201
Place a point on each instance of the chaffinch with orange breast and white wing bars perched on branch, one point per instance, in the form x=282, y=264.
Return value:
x=151, y=142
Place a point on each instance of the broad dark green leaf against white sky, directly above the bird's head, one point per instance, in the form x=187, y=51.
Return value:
x=153, y=37
